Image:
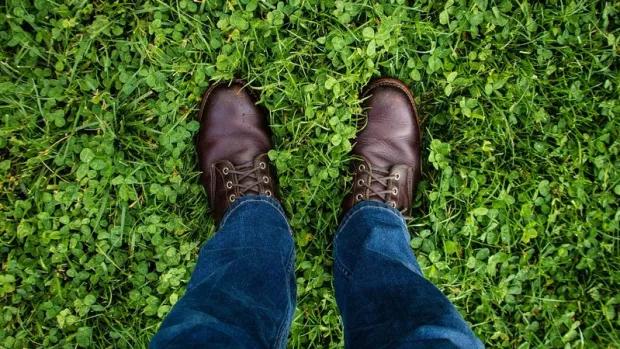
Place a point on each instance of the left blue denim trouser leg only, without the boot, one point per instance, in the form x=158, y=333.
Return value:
x=242, y=291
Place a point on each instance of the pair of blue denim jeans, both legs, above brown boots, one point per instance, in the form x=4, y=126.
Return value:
x=242, y=291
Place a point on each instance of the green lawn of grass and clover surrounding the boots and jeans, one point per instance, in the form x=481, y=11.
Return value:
x=101, y=213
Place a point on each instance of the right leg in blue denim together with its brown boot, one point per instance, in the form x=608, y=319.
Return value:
x=383, y=297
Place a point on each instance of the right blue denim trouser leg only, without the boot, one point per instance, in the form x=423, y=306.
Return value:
x=384, y=299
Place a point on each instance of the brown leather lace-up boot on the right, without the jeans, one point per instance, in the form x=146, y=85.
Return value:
x=387, y=151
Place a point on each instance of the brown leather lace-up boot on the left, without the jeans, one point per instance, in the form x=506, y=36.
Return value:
x=232, y=146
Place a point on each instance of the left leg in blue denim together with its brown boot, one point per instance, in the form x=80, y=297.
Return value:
x=242, y=291
